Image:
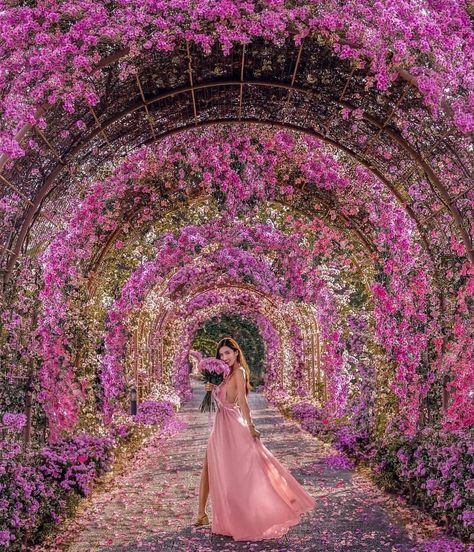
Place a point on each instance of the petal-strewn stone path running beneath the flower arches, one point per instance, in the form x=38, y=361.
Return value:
x=152, y=503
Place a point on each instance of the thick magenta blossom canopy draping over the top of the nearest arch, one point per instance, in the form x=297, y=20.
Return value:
x=428, y=45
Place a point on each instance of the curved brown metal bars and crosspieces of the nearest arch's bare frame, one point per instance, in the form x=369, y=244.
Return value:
x=47, y=186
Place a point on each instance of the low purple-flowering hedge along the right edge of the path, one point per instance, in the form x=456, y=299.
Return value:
x=434, y=468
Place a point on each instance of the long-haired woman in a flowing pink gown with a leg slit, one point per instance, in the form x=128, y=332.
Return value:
x=254, y=497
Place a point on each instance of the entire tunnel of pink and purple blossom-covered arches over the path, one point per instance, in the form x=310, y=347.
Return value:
x=273, y=164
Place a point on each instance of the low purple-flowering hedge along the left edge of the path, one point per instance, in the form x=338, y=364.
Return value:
x=37, y=485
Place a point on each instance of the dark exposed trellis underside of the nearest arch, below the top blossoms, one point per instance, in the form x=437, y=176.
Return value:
x=305, y=88
